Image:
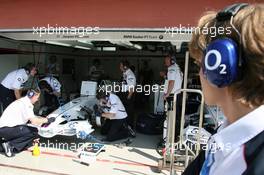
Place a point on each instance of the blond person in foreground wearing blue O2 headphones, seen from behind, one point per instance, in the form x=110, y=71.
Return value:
x=231, y=74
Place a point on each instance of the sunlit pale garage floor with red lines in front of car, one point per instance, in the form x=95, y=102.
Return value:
x=138, y=158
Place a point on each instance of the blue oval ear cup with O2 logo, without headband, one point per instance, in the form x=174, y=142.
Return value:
x=220, y=63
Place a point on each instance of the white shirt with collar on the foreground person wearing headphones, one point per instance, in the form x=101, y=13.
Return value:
x=229, y=143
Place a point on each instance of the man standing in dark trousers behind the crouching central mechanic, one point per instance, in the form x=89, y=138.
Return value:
x=127, y=92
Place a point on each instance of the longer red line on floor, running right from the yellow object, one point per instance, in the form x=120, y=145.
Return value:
x=99, y=160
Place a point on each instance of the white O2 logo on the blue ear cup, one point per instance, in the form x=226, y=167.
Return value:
x=217, y=62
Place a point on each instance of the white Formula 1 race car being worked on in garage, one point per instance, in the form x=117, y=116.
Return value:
x=71, y=118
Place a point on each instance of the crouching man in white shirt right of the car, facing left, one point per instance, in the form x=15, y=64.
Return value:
x=115, y=126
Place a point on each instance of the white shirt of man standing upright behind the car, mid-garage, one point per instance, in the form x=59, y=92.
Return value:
x=129, y=80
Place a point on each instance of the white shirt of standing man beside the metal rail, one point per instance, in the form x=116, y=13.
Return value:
x=175, y=74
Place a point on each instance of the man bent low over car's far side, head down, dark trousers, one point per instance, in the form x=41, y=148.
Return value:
x=51, y=89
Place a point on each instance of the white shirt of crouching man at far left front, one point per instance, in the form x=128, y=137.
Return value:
x=17, y=113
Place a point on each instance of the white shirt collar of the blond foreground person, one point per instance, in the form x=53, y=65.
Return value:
x=241, y=131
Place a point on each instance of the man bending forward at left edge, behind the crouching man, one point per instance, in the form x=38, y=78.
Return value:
x=11, y=86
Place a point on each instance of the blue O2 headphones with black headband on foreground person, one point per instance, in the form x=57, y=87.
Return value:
x=222, y=61
